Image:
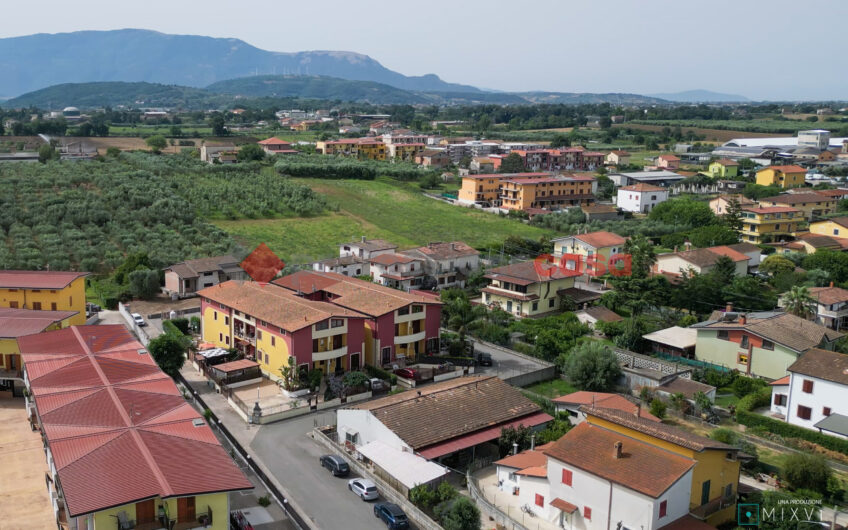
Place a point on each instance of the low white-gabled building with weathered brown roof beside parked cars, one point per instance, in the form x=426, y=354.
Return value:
x=442, y=419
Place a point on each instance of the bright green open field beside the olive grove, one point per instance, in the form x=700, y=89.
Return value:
x=380, y=208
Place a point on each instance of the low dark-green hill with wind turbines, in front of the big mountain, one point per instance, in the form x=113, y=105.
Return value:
x=314, y=87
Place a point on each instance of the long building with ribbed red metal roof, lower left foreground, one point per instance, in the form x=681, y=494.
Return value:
x=124, y=448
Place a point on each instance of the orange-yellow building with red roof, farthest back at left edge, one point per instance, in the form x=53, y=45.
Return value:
x=45, y=291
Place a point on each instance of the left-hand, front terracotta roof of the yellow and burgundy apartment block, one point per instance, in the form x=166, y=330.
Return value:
x=276, y=306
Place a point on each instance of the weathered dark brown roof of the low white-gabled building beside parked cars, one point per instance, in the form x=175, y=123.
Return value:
x=449, y=409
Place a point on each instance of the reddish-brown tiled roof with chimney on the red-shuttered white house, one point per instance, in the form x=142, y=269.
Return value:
x=642, y=467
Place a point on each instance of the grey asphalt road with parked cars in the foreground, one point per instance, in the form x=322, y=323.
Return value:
x=292, y=457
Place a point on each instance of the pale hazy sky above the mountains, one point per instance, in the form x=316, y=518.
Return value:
x=762, y=49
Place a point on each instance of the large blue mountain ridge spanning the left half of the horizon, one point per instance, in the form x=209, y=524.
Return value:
x=38, y=61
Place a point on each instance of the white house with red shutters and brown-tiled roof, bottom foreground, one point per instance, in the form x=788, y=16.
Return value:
x=595, y=478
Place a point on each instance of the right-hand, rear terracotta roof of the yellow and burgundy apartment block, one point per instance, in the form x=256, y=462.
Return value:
x=359, y=295
